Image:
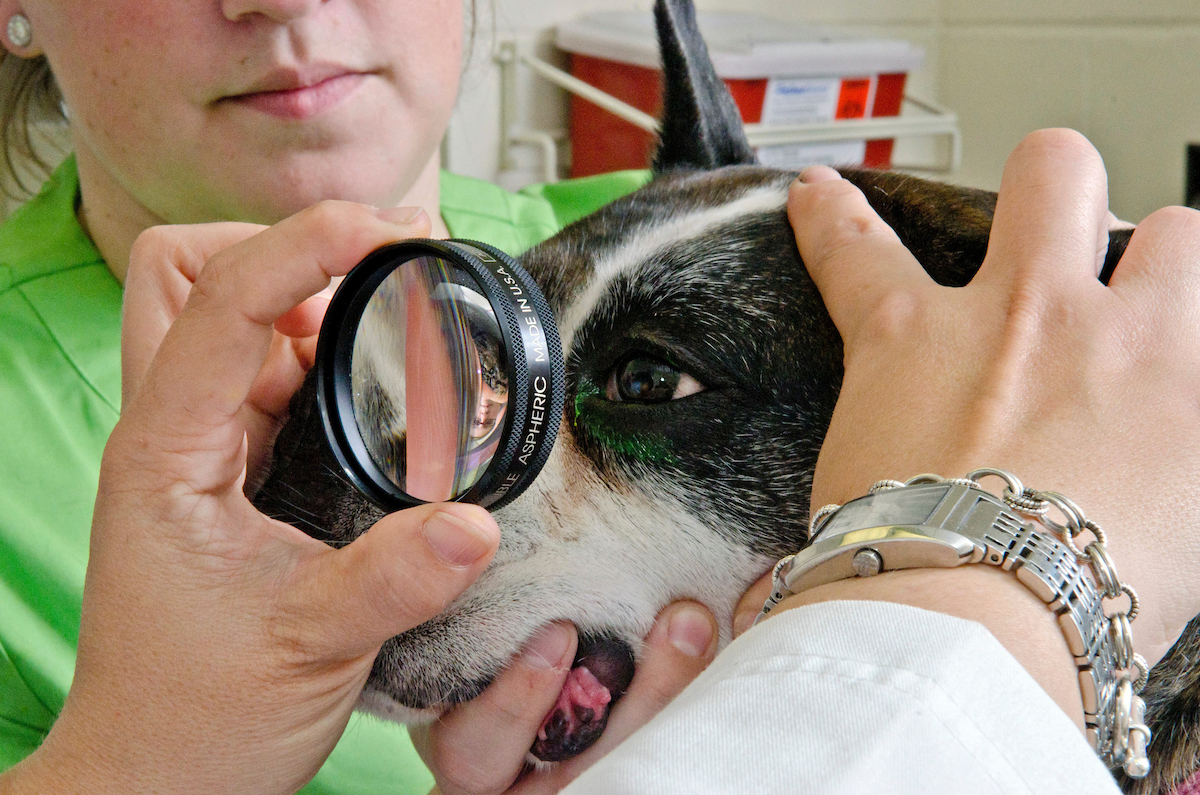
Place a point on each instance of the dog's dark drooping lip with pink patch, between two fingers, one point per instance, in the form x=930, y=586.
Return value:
x=603, y=670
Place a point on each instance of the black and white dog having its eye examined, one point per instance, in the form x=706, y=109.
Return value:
x=703, y=373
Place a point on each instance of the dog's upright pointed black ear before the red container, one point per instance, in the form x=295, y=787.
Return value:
x=701, y=125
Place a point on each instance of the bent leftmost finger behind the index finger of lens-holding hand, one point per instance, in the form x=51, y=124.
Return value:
x=164, y=266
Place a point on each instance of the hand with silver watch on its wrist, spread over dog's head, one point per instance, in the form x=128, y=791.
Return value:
x=1036, y=368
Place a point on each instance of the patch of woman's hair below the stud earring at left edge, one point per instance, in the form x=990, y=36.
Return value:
x=31, y=106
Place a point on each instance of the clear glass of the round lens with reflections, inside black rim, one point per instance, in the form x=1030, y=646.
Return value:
x=429, y=380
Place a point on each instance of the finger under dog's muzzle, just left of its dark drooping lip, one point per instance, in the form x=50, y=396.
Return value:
x=482, y=746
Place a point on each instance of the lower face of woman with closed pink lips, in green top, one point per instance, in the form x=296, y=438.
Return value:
x=253, y=110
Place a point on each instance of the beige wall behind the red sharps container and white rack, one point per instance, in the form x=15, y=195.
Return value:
x=1125, y=73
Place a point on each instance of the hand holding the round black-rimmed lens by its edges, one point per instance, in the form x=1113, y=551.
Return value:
x=223, y=651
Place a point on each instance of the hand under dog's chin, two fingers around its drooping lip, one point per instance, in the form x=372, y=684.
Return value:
x=481, y=748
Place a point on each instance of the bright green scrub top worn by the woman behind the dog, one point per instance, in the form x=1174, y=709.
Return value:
x=61, y=315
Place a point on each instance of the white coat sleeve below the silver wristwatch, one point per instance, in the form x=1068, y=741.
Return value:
x=857, y=697
